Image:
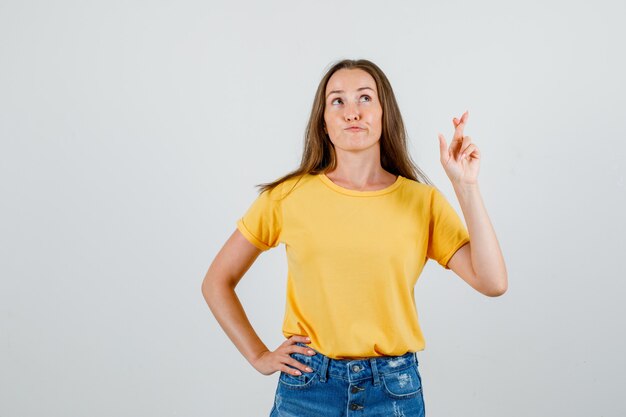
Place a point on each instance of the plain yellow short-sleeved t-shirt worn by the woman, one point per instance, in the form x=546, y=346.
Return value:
x=354, y=258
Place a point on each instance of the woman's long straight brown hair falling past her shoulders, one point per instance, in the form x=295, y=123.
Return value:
x=319, y=152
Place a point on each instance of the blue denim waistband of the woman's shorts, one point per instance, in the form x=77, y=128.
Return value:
x=354, y=370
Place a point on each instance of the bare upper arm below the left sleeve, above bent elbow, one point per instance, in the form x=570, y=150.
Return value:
x=232, y=261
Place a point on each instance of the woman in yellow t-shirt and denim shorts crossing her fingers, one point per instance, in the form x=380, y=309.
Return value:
x=359, y=220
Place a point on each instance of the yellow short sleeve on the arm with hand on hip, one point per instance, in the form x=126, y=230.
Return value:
x=262, y=222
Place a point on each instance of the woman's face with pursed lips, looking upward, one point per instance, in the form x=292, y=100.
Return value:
x=353, y=113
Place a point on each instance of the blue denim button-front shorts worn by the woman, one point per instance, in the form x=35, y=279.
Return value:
x=376, y=386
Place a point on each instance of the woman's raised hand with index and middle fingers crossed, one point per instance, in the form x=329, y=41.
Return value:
x=461, y=160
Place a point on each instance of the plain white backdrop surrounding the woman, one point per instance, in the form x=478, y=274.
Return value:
x=133, y=133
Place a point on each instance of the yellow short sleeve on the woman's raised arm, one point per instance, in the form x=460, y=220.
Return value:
x=447, y=232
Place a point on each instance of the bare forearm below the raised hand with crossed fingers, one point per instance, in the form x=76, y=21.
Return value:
x=487, y=259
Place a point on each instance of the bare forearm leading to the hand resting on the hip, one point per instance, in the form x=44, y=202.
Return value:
x=227, y=309
